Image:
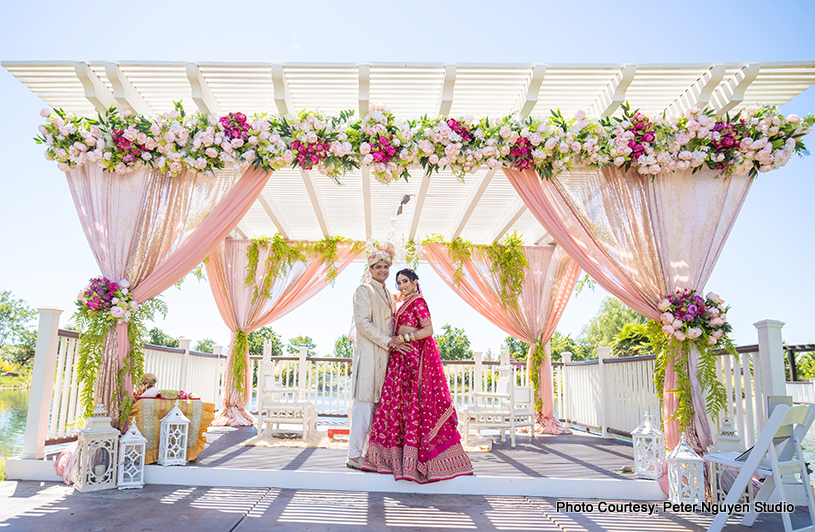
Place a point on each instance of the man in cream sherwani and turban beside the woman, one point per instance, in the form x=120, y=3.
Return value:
x=373, y=319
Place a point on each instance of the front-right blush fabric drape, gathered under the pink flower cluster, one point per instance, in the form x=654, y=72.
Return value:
x=641, y=238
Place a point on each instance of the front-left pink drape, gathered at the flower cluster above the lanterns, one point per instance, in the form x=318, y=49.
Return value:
x=152, y=229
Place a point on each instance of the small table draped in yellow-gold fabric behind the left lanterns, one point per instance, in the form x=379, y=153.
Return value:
x=148, y=412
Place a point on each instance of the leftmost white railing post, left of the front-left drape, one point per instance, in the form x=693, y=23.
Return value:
x=42, y=384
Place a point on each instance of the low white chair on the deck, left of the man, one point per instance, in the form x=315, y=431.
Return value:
x=281, y=404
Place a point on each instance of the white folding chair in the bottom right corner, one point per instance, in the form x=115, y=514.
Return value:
x=777, y=455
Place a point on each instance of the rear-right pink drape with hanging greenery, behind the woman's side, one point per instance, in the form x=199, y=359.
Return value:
x=548, y=282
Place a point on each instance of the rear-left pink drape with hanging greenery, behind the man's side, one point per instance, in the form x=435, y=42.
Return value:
x=227, y=271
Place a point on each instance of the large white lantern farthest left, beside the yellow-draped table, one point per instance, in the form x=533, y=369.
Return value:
x=97, y=443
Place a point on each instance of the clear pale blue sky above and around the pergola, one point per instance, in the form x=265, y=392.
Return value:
x=764, y=271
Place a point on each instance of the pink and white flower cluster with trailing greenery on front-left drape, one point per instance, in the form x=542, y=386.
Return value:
x=100, y=307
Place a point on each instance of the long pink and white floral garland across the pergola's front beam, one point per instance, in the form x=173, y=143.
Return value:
x=752, y=141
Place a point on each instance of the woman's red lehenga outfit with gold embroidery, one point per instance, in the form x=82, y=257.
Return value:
x=414, y=434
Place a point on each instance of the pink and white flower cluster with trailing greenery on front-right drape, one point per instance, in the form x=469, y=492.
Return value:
x=687, y=319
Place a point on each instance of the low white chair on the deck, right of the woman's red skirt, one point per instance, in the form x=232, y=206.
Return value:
x=508, y=408
